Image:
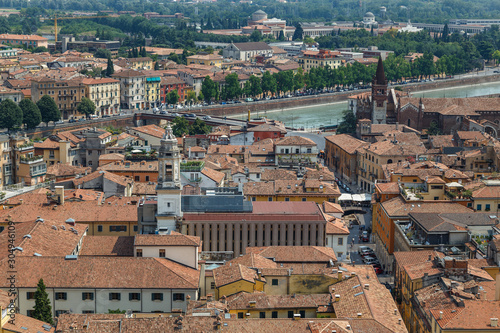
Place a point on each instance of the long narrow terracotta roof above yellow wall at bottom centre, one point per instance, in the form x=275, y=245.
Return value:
x=265, y=302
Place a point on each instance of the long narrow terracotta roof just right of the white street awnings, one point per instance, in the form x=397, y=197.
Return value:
x=398, y=207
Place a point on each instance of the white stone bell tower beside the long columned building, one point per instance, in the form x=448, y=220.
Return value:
x=169, y=184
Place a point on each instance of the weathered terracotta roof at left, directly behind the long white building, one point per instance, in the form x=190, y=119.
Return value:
x=45, y=238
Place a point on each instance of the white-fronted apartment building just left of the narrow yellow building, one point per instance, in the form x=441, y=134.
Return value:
x=132, y=89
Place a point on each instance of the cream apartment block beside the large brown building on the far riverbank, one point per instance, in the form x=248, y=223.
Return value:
x=105, y=93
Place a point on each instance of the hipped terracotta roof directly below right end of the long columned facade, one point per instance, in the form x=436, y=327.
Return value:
x=297, y=254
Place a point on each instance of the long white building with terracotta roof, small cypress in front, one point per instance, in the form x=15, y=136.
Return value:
x=100, y=284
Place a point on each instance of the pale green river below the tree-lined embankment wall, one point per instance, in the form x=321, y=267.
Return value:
x=331, y=114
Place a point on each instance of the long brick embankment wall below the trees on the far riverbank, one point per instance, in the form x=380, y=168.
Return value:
x=294, y=102
